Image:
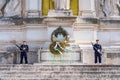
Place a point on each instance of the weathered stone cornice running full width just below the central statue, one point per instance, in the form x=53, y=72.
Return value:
x=47, y=20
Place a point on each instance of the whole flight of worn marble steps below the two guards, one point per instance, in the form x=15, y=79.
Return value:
x=59, y=72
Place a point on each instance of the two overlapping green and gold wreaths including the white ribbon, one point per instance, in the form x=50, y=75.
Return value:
x=60, y=39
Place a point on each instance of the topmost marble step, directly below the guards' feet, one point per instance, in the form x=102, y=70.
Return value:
x=66, y=67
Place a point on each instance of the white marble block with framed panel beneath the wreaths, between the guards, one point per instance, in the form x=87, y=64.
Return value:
x=72, y=53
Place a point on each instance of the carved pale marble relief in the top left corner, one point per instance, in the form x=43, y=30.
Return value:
x=10, y=8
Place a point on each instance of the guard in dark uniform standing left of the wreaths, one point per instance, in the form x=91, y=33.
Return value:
x=24, y=49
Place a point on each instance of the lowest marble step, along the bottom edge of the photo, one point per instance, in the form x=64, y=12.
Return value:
x=64, y=77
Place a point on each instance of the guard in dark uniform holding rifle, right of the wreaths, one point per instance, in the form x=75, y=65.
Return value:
x=97, y=51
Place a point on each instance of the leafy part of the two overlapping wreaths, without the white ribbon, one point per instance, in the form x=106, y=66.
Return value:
x=63, y=43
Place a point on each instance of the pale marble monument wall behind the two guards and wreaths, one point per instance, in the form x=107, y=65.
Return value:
x=82, y=29
